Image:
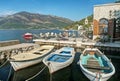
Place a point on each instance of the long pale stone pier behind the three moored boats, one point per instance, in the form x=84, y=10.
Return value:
x=79, y=44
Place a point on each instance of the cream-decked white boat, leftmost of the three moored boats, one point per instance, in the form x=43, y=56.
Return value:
x=32, y=57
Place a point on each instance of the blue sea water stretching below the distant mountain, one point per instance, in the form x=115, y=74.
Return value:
x=18, y=34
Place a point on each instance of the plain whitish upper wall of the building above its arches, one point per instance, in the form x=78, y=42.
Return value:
x=103, y=11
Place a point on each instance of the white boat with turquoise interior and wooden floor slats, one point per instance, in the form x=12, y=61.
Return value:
x=95, y=65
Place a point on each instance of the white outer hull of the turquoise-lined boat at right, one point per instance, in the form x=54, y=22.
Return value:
x=97, y=76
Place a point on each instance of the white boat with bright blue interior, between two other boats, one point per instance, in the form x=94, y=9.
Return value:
x=59, y=59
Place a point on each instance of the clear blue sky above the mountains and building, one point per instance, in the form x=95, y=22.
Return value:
x=72, y=9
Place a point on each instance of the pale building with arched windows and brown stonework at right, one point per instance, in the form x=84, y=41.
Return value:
x=106, y=21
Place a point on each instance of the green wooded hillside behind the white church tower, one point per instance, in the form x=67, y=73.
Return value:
x=81, y=22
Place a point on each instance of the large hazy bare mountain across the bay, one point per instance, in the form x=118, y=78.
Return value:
x=26, y=20
